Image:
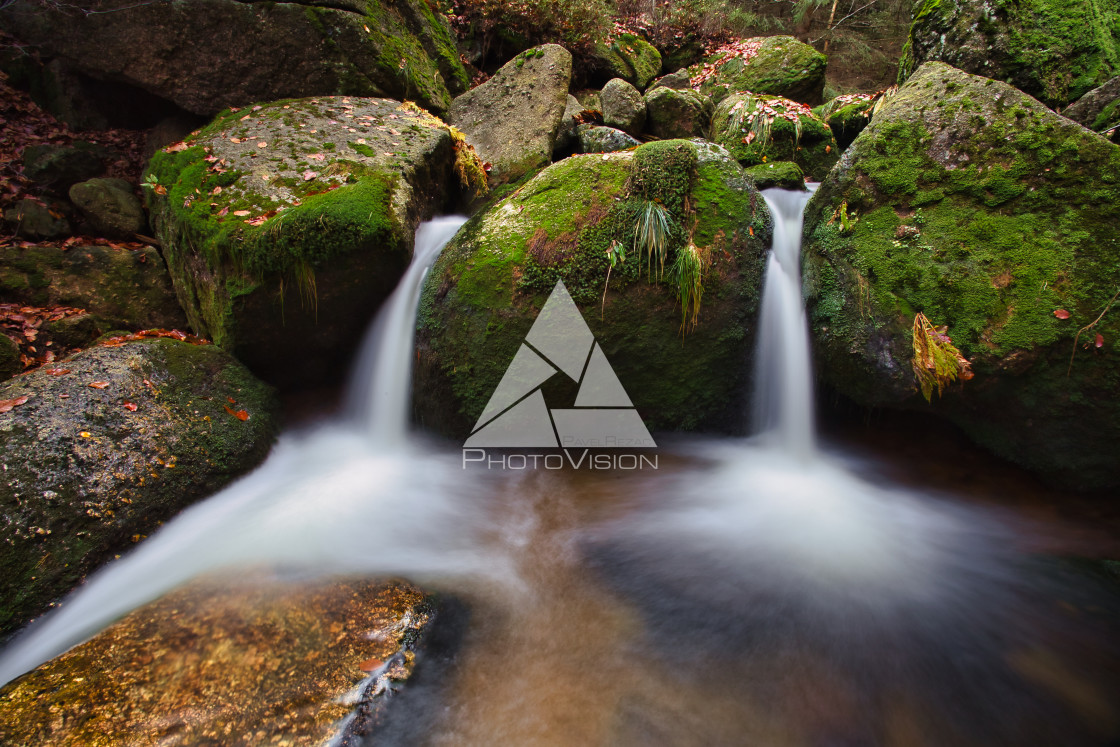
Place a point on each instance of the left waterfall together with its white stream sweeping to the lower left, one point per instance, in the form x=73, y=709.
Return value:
x=352, y=497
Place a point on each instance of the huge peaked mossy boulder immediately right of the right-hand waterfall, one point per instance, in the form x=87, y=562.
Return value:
x=972, y=203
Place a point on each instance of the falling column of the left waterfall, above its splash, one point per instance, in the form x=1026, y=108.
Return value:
x=380, y=385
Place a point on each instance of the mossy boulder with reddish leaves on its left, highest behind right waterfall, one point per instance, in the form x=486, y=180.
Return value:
x=774, y=67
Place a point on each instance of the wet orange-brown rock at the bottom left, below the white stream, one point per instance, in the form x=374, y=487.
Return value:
x=229, y=661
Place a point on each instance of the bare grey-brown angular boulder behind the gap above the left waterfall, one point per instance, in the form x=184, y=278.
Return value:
x=514, y=119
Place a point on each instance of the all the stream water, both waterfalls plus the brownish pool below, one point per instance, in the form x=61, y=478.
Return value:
x=749, y=592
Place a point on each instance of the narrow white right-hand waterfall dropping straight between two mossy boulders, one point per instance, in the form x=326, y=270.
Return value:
x=783, y=403
